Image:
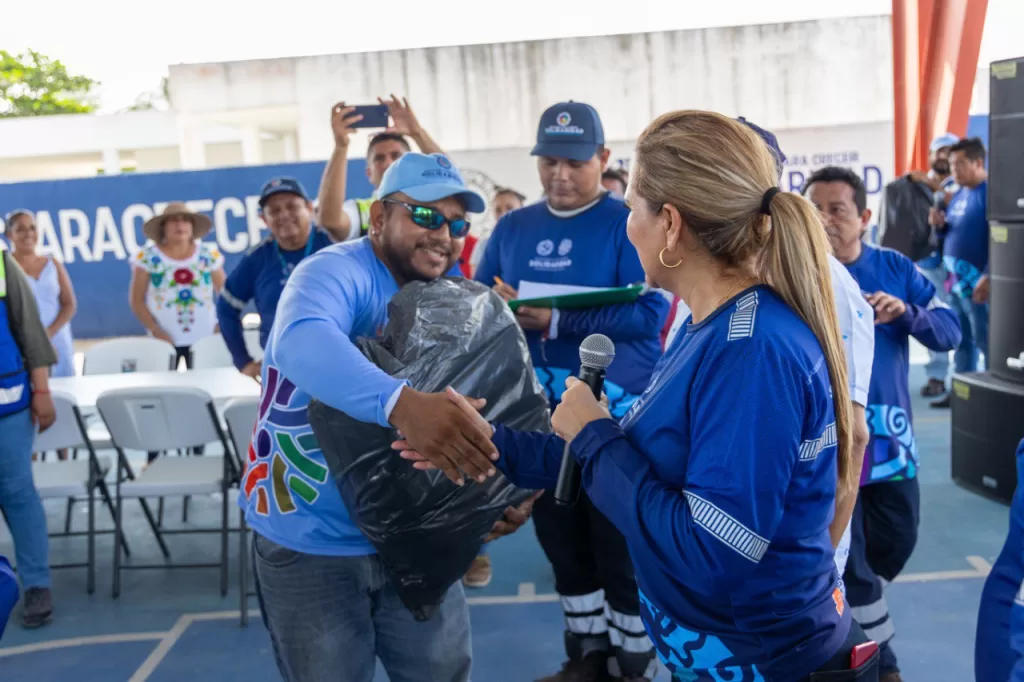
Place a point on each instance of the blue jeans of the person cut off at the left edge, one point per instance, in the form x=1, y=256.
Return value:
x=21, y=502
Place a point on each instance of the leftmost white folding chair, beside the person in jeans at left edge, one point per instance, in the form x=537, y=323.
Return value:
x=68, y=479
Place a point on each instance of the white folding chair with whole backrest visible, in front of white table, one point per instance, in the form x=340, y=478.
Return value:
x=160, y=420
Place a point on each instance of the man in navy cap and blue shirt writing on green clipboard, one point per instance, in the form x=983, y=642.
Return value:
x=578, y=237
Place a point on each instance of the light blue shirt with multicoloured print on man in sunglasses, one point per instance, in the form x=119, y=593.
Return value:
x=332, y=299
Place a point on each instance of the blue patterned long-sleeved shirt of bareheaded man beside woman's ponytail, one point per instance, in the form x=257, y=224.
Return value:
x=892, y=452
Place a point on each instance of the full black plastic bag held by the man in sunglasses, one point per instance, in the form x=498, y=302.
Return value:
x=450, y=332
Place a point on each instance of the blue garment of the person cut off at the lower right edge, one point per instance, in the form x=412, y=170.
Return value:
x=1000, y=643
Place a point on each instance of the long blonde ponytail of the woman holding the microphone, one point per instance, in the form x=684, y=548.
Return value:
x=796, y=266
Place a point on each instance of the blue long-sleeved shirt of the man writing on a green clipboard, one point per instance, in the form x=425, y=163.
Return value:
x=589, y=249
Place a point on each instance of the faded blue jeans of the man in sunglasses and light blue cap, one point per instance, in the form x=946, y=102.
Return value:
x=330, y=618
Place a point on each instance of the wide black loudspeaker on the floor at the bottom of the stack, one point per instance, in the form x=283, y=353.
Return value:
x=988, y=425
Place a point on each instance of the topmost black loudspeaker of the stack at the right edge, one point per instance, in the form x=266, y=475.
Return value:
x=1006, y=141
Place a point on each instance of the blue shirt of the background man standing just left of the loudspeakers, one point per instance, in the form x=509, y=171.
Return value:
x=965, y=250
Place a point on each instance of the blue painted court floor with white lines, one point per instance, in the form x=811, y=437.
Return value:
x=175, y=626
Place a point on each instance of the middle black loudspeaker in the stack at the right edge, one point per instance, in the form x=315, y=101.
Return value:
x=1006, y=314
